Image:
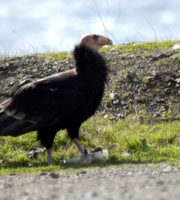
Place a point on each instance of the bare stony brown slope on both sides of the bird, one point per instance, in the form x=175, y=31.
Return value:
x=141, y=82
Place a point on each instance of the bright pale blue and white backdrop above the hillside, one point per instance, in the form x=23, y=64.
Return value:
x=28, y=26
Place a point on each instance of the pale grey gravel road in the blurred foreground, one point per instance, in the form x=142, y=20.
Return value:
x=139, y=182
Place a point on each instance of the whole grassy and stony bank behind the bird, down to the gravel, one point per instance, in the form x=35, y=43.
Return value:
x=143, y=87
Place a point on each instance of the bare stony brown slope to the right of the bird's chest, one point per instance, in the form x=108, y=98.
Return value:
x=144, y=83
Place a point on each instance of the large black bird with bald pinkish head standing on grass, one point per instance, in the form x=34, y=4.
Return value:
x=61, y=101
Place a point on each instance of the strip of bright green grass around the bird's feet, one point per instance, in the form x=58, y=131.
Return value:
x=143, y=143
